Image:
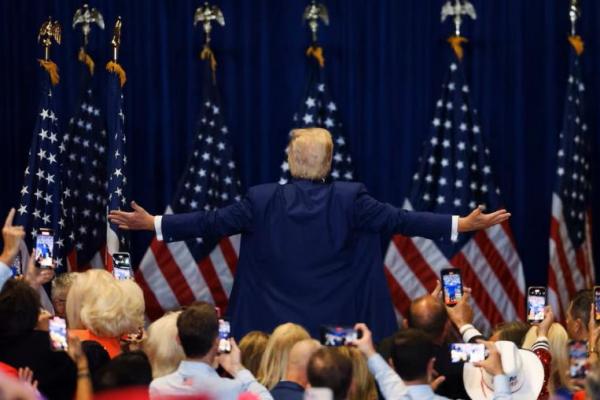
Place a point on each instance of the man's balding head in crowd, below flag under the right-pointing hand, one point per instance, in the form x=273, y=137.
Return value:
x=428, y=314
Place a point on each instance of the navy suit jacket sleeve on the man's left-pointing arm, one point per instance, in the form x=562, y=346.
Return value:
x=226, y=221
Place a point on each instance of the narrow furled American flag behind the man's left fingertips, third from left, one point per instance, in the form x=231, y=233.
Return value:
x=116, y=240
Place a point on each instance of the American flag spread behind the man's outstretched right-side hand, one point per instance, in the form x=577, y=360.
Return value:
x=454, y=176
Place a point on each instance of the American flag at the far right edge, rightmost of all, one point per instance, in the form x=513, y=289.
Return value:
x=571, y=265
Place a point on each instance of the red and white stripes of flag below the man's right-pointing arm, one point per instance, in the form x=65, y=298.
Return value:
x=489, y=264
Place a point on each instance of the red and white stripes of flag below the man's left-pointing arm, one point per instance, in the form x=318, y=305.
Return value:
x=170, y=276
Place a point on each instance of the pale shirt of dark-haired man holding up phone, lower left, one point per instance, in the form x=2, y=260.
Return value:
x=195, y=377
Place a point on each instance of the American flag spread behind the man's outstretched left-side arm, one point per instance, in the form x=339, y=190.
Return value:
x=176, y=274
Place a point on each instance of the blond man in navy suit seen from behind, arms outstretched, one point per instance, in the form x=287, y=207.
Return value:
x=310, y=251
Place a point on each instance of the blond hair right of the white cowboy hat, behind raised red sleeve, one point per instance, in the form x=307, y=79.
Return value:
x=558, y=339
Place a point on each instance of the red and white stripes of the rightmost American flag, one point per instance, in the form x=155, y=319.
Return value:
x=569, y=269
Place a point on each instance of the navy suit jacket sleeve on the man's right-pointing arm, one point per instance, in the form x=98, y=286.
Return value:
x=375, y=216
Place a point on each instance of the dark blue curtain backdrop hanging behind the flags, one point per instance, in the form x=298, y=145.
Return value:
x=384, y=61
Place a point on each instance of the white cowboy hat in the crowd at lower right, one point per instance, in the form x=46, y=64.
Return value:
x=523, y=368
